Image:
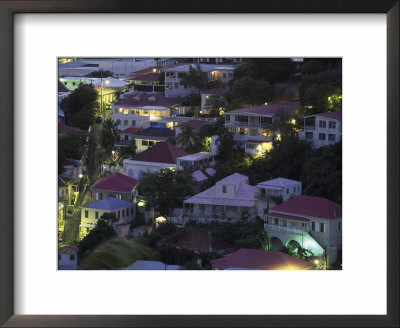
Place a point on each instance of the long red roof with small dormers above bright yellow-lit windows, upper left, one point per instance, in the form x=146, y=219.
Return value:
x=145, y=100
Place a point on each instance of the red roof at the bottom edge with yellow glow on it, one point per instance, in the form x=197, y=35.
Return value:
x=261, y=260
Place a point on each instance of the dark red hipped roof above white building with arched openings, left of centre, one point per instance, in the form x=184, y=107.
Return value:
x=161, y=152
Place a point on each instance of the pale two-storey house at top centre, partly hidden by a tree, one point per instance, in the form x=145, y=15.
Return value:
x=174, y=74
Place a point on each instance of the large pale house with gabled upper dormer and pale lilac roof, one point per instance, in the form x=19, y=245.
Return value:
x=230, y=199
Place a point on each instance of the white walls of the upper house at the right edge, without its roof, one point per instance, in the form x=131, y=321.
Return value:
x=314, y=133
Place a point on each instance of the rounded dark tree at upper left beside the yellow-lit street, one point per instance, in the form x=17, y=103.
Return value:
x=80, y=106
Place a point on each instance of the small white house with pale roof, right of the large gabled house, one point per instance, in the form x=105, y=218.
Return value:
x=275, y=191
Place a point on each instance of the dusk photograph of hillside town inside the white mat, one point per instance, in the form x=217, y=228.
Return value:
x=199, y=164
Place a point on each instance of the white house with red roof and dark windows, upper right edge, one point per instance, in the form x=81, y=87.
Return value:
x=322, y=129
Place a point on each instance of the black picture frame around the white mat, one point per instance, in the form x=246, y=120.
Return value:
x=10, y=7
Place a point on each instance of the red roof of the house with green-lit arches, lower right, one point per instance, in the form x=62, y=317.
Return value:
x=310, y=206
